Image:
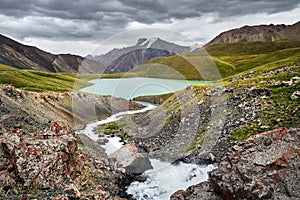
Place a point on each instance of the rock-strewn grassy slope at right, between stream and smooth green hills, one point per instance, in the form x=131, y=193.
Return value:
x=274, y=110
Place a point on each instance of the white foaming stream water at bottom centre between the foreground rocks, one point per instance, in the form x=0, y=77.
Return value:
x=165, y=179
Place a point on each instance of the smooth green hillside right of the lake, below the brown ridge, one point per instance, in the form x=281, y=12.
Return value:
x=223, y=60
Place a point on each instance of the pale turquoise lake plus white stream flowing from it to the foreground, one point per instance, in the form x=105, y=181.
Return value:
x=165, y=178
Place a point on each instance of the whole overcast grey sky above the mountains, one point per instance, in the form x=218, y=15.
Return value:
x=81, y=26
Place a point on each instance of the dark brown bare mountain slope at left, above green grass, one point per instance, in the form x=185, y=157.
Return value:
x=28, y=57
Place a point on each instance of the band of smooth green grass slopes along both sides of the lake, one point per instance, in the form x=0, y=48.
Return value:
x=214, y=63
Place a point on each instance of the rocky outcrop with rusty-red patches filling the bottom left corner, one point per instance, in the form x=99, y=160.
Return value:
x=49, y=164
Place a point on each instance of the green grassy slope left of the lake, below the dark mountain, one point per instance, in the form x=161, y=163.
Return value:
x=39, y=81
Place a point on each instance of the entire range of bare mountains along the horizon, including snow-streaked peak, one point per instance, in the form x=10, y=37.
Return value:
x=21, y=56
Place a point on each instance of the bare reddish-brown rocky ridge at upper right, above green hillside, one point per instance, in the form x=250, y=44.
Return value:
x=258, y=33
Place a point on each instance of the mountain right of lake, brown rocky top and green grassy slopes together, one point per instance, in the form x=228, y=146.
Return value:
x=230, y=53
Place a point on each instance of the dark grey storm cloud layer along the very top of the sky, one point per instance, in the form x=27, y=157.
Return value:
x=134, y=9
